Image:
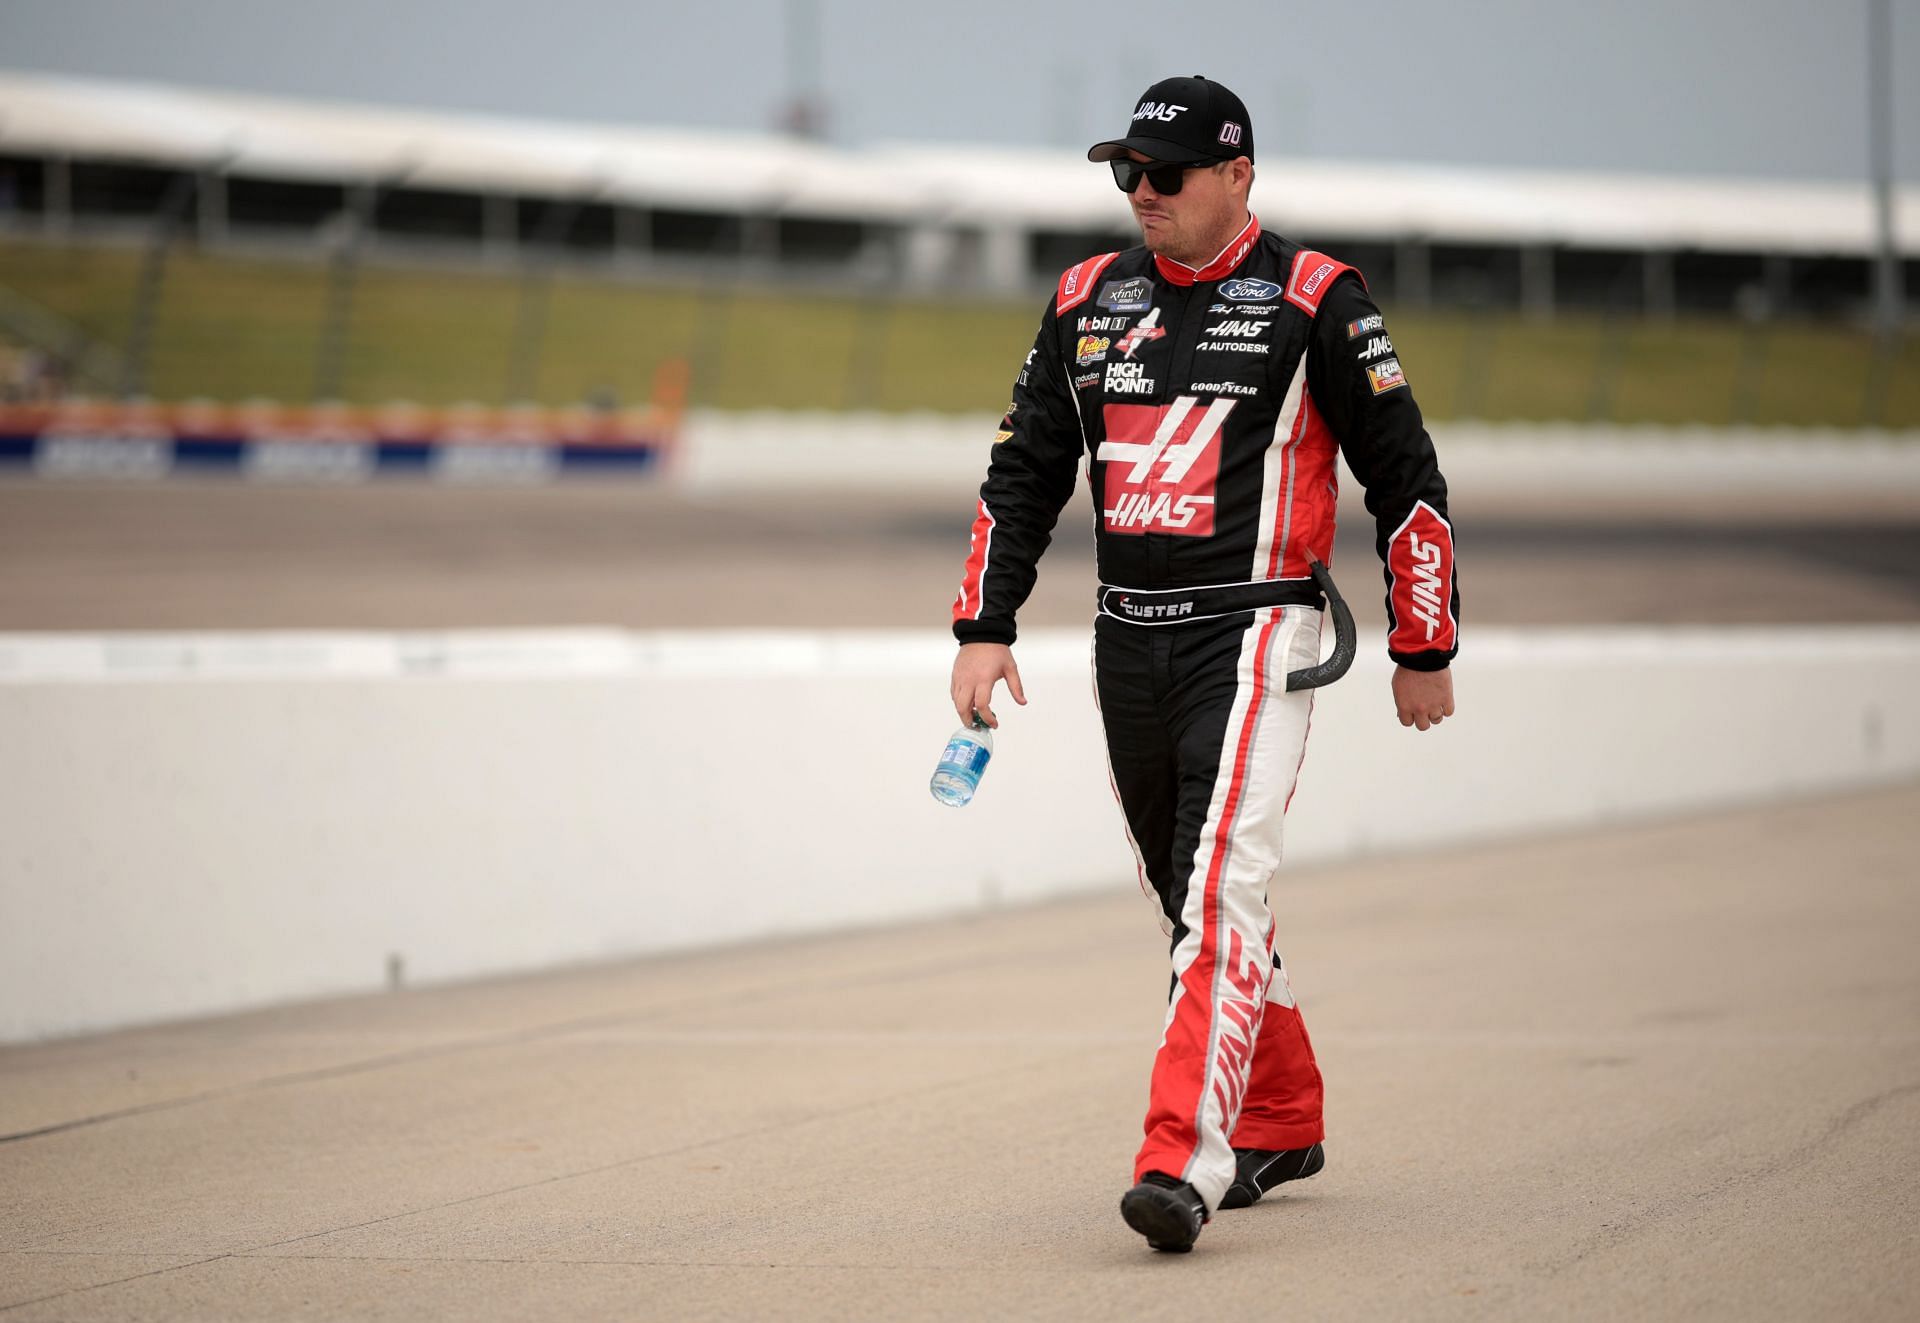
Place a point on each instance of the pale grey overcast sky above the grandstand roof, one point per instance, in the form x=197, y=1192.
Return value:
x=1727, y=87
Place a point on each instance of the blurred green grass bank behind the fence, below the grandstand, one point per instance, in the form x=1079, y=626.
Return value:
x=241, y=327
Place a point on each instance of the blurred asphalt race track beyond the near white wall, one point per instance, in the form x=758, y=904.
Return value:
x=212, y=556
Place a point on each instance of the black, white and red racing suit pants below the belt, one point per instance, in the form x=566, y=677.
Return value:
x=1205, y=746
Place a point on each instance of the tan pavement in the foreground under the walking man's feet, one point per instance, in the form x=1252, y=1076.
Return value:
x=1666, y=1072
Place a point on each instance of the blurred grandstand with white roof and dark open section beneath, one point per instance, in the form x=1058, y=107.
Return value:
x=107, y=160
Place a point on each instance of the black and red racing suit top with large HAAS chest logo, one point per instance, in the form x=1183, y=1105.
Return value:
x=1212, y=404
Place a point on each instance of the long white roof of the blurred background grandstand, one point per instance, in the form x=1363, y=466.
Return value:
x=901, y=181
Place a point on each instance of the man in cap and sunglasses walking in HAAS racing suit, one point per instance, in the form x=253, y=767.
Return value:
x=1209, y=377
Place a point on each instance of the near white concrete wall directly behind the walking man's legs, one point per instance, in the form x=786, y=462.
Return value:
x=199, y=825
